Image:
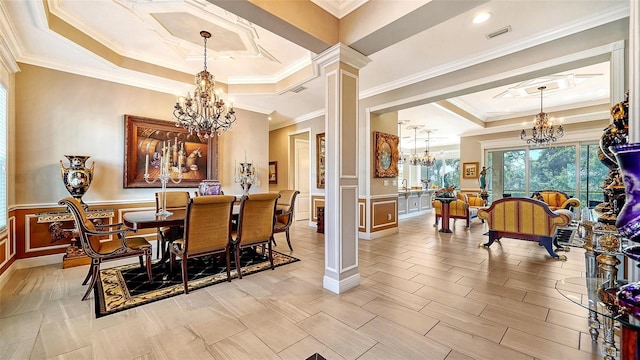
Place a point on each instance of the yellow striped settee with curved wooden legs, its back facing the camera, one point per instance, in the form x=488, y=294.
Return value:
x=525, y=219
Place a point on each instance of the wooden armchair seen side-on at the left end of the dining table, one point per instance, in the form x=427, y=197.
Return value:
x=92, y=236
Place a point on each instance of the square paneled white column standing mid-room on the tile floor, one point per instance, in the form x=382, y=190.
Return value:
x=340, y=65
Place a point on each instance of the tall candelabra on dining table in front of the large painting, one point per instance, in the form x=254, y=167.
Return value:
x=167, y=166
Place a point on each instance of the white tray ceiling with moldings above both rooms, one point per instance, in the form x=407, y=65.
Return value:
x=165, y=34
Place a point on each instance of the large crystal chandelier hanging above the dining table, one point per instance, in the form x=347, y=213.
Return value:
x=206, y=112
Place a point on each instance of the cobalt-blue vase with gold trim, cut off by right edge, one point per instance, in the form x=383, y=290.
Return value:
x=628, y=220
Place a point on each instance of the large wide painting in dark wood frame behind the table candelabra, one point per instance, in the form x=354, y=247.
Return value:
x=144, y=140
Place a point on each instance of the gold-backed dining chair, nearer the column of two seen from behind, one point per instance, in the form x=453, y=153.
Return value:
x=255, y=224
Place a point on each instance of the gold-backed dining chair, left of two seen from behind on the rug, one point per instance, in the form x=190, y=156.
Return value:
x=207, y=230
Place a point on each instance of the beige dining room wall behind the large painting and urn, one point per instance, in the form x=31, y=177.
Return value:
x=58, y=113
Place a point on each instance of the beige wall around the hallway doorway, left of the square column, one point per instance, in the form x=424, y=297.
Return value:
x=279, y=151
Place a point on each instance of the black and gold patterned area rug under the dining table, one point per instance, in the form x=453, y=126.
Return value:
x=125, y=287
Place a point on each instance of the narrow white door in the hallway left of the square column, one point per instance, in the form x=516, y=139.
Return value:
x=301, y=178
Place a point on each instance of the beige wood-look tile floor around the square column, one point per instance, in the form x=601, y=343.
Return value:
x=423, y=295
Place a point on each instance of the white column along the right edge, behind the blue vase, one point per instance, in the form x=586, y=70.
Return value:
x=634, y=95
